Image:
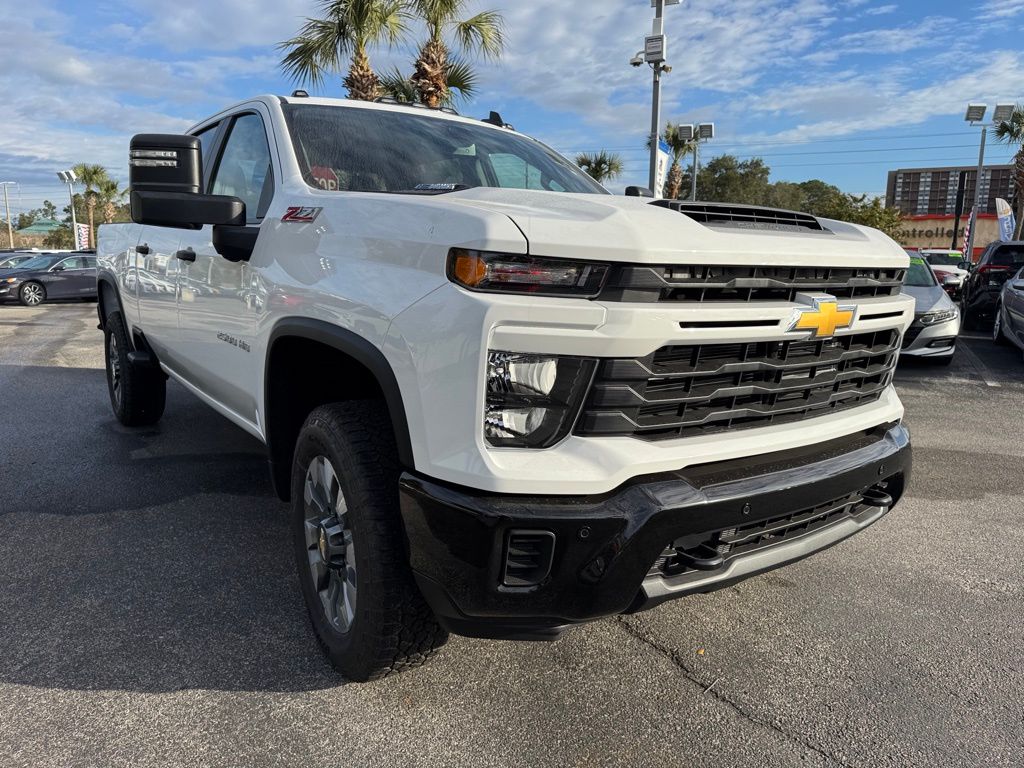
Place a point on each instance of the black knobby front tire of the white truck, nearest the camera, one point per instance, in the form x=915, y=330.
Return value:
x=392, y=628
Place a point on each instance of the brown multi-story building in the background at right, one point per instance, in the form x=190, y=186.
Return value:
x=932, y=192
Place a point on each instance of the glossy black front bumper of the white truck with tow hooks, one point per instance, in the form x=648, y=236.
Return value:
x=654, y=539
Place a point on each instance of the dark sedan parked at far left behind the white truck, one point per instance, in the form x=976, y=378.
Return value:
x=62, y=276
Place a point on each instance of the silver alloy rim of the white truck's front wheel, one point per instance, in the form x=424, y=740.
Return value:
x=330, y=549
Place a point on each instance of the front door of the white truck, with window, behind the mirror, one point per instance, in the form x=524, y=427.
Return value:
x=217, y=320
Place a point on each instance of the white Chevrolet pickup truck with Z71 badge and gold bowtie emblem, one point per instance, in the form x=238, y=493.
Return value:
x=501, y=401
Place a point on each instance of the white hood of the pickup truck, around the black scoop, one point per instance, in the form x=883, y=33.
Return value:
x=631, y=230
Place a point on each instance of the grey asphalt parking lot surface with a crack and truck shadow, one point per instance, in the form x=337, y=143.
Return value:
x=150, y=614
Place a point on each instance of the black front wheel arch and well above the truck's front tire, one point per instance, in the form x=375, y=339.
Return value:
x=289, y=398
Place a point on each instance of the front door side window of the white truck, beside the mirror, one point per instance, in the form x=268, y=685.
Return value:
x=244, y=169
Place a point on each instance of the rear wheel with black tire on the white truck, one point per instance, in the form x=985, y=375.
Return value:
x=138, y=396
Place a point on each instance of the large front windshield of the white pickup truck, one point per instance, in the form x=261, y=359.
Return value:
x=359, y=150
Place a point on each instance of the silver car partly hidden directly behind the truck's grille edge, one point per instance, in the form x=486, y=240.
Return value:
x=936, y=319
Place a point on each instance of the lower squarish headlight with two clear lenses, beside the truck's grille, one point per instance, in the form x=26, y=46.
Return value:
x=534, y=400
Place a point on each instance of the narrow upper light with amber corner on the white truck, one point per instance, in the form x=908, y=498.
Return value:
x=504, y=273
